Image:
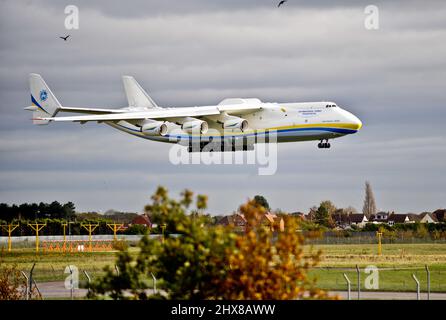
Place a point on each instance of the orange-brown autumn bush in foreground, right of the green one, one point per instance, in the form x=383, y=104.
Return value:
x=264, y=268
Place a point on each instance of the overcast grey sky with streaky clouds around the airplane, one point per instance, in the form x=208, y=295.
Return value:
x=200, y=52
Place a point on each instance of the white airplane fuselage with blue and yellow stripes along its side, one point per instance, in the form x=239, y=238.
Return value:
x=289, y=121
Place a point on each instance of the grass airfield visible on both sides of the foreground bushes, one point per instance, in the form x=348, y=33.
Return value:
x=396, y=265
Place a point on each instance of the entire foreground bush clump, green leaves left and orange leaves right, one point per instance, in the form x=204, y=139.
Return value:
x=202, y=261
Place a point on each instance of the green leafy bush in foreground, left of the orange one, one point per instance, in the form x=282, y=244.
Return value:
x=189, y=265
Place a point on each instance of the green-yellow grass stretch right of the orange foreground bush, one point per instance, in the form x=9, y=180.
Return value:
x=396, y=266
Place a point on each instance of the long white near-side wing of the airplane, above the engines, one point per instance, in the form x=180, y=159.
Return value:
x=161, y=113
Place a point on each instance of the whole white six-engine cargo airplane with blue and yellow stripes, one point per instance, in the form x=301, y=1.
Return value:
x=234, y=124
